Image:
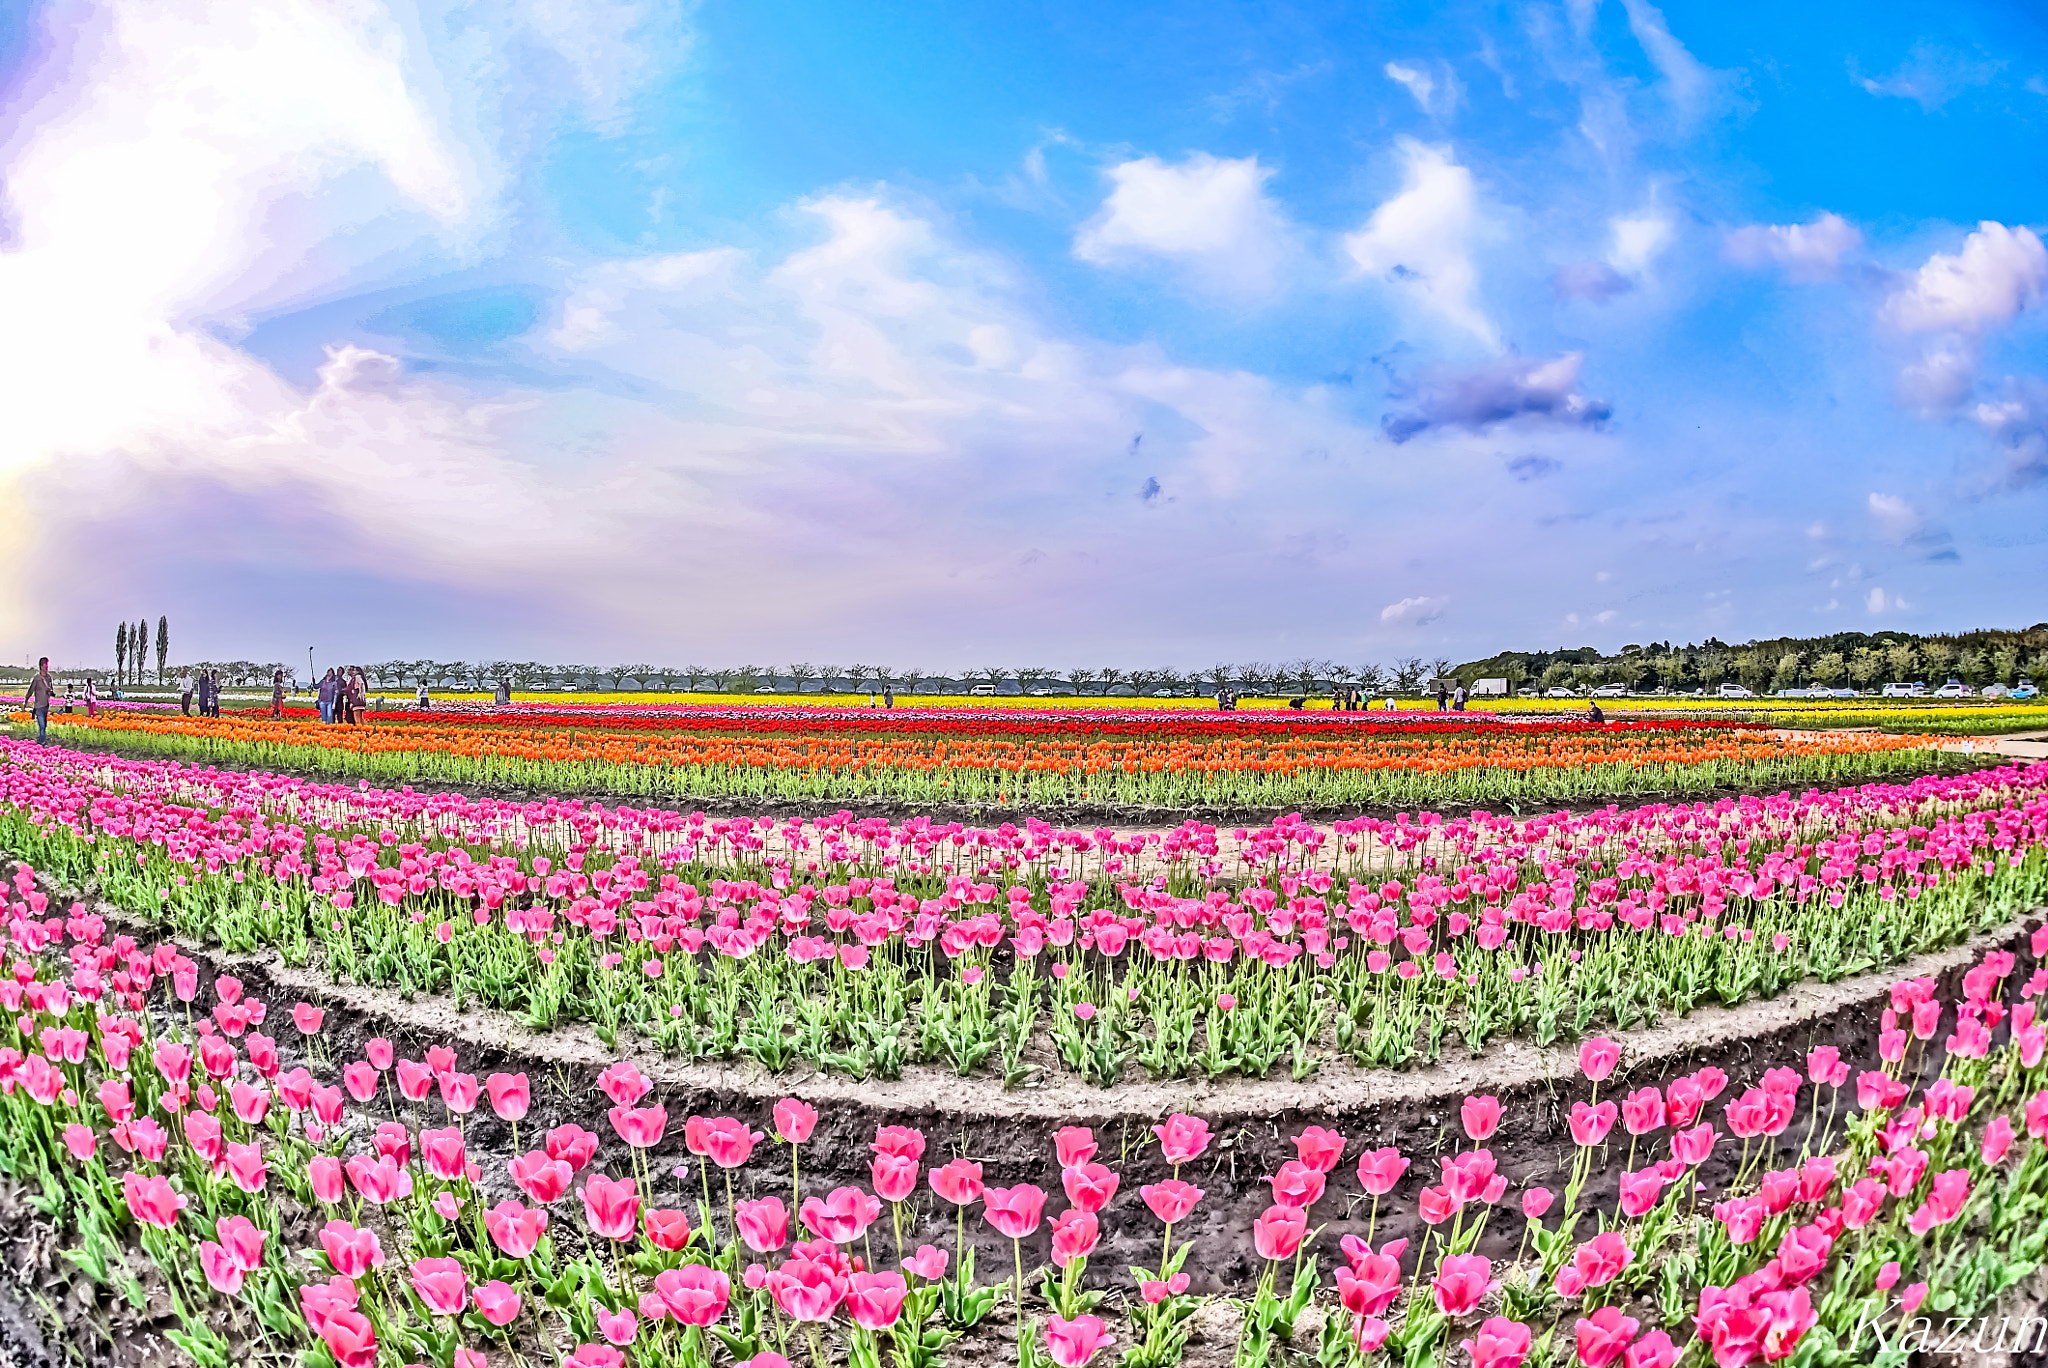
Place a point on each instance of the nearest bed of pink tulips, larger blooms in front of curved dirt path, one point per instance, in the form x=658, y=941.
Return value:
x=290, y=1191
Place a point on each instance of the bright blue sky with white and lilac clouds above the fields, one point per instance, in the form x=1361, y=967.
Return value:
x=1035, y=335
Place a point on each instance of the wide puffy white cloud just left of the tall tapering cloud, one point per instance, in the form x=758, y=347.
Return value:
x=1205, y=214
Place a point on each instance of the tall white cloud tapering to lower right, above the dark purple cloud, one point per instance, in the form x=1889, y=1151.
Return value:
x=1420, y=241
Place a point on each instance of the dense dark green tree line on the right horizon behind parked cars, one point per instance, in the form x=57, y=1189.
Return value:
x=1848, y=660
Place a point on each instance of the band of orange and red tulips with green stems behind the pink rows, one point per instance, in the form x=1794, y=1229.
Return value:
x=1082, y=759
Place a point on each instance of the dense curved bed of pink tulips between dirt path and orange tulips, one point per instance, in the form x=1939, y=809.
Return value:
x=865, y=947
